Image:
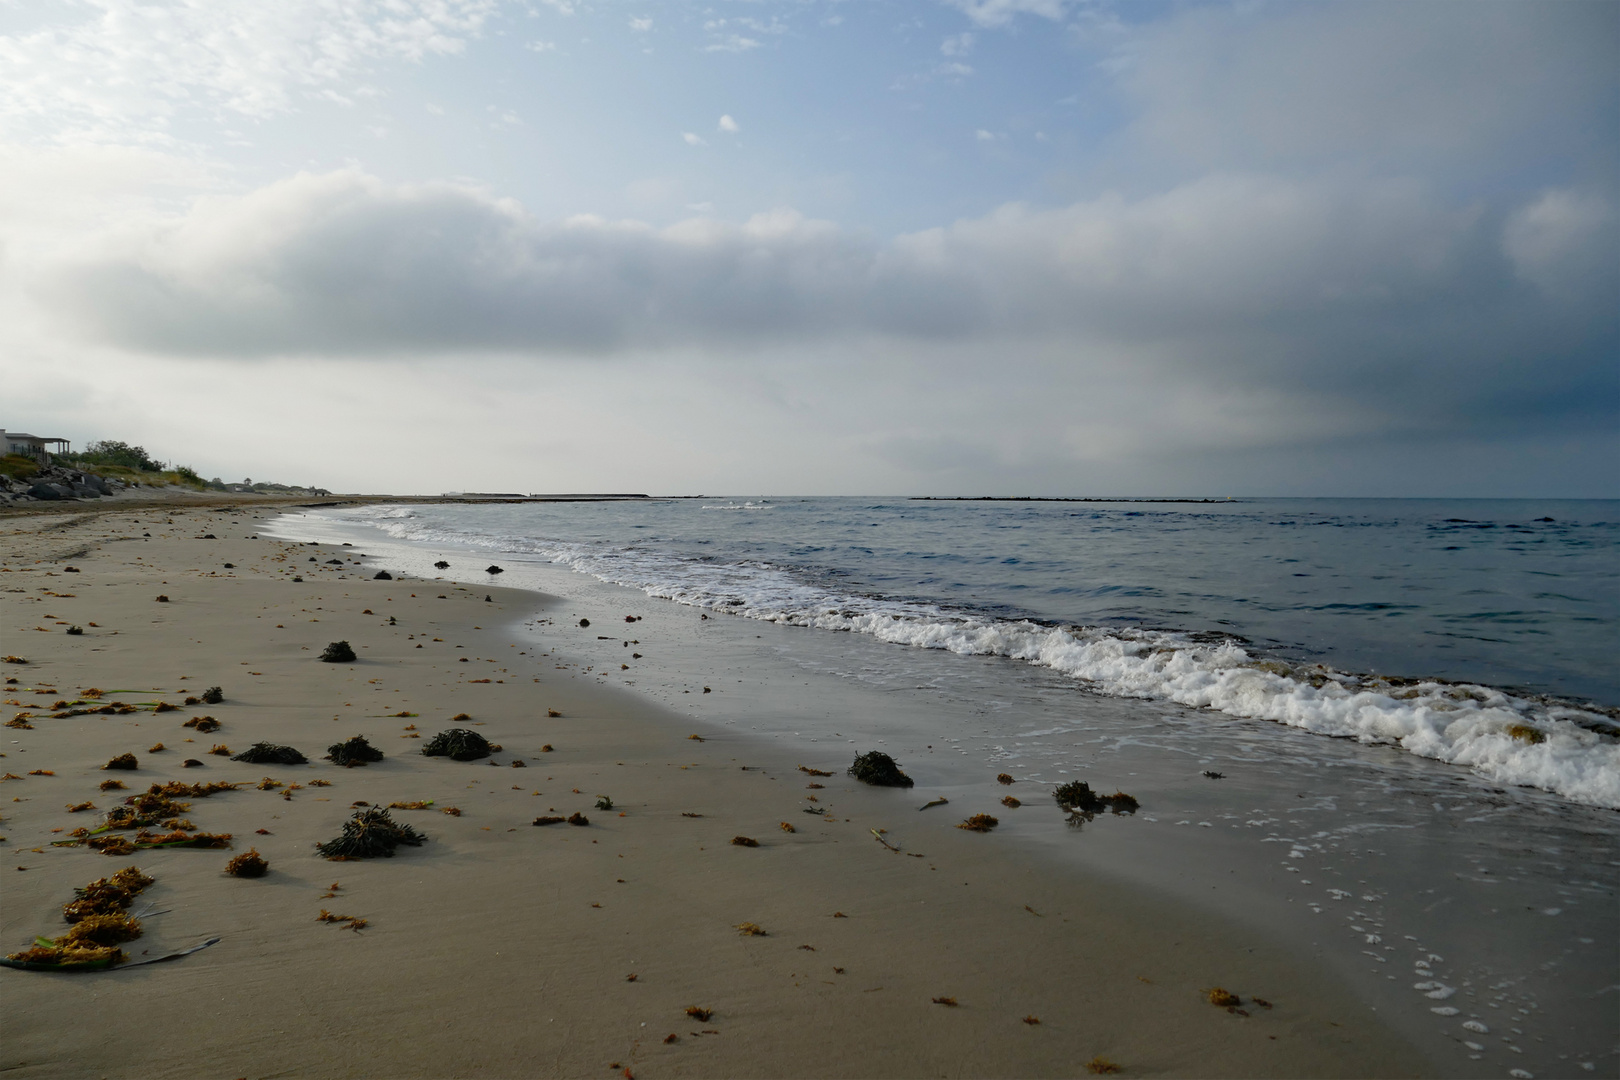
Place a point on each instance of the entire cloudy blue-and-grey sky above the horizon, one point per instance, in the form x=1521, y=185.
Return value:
x=821, y=247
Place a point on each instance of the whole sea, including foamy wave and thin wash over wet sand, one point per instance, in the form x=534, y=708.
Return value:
x=1388, y=731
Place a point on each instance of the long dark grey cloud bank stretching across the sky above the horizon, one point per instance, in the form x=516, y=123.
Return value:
x=1362, y=289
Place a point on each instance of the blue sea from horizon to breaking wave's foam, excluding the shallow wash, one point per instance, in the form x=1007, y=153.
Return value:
x=1470, y=632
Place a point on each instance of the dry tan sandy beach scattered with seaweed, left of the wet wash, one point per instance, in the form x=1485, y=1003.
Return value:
x=506, y=950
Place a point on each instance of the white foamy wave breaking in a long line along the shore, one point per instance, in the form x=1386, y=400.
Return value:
x=1550, y=744
